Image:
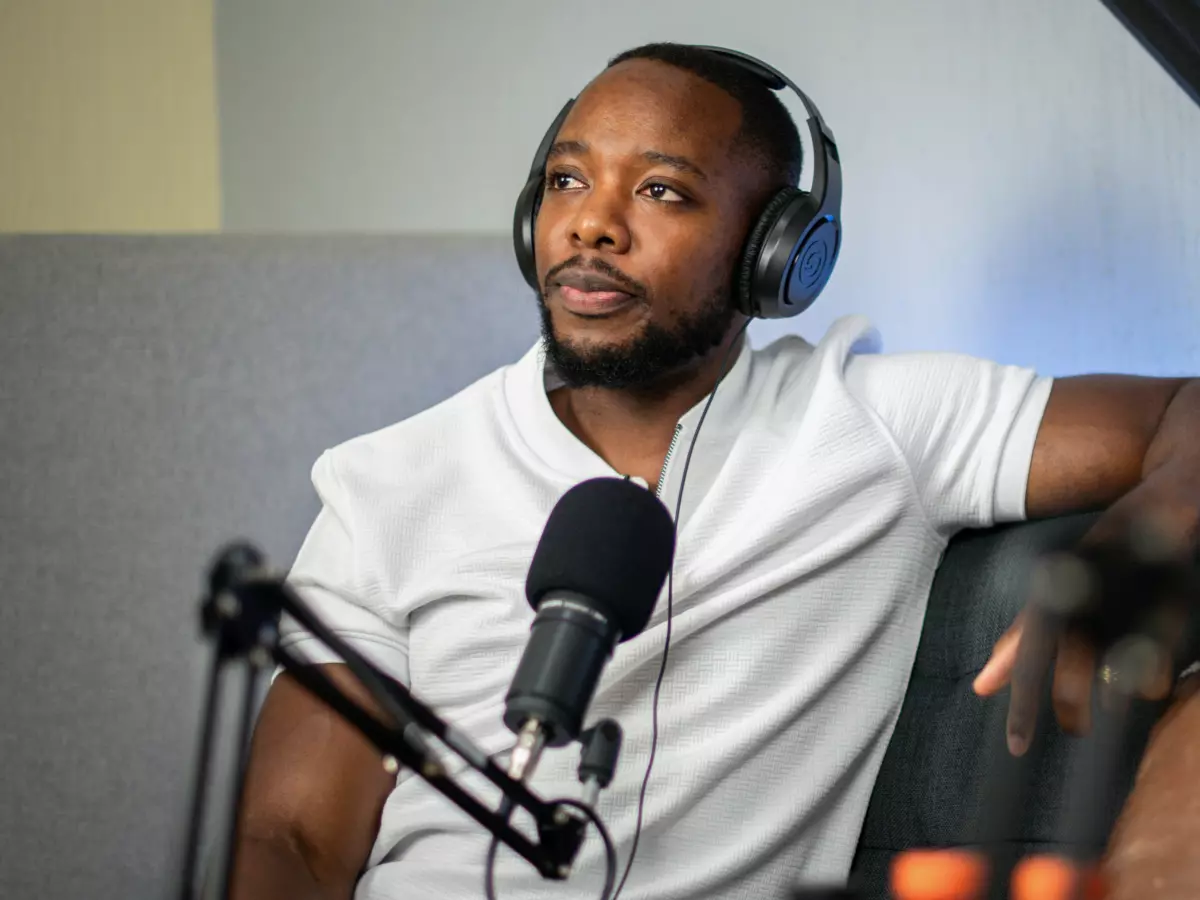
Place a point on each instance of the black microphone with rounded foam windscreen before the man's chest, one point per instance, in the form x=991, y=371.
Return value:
x=595, y=580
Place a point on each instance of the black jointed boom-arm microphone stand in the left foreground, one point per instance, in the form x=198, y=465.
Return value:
x=242, y=614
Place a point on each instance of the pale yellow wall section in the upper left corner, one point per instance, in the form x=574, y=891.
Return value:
x=109, y=117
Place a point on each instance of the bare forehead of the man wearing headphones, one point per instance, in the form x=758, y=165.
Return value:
x=646, y=105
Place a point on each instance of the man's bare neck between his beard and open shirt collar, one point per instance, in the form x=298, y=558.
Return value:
x=632, y=429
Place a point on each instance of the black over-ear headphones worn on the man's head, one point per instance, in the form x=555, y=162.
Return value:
x=791, y=250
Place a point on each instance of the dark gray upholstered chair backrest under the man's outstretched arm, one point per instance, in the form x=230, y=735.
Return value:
x=947, y=742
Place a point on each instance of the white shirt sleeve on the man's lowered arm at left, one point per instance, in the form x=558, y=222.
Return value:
x=327, y=577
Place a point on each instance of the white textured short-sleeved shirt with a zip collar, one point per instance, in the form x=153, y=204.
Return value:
x=825, y=485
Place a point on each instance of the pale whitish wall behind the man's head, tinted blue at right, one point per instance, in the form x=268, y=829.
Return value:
x=1023, y=182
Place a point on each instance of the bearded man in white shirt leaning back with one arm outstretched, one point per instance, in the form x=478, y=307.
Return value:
x=823, y=490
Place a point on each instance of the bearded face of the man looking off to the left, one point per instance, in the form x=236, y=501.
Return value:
x=646, y=208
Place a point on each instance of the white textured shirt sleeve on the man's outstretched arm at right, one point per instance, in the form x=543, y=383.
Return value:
x=967, y=428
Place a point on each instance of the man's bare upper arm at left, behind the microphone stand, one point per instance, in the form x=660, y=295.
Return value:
x=315, y=793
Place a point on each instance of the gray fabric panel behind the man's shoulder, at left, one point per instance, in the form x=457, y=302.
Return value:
x=160, y=397
